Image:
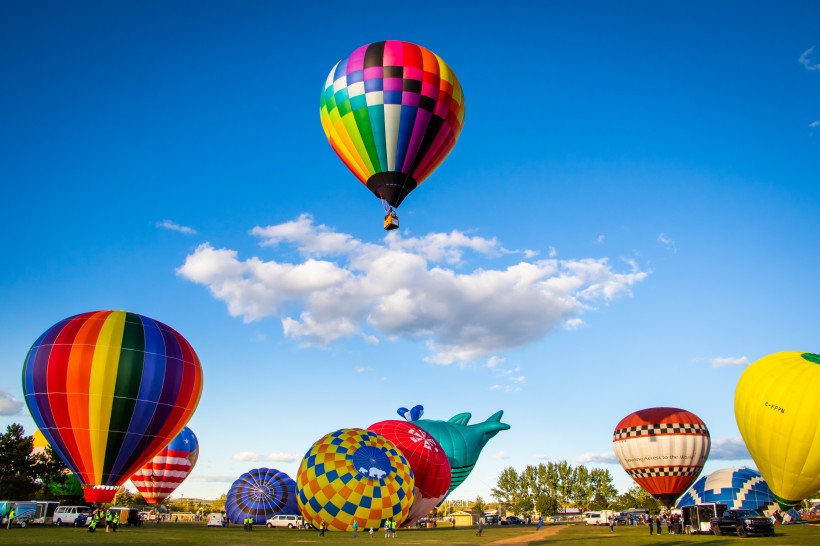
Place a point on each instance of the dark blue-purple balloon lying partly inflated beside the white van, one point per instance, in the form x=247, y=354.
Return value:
x=261, y=493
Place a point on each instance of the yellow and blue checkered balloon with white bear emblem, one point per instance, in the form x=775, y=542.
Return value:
x=354, y=475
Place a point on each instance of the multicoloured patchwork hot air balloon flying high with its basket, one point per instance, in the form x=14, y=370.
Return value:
x=392, y=111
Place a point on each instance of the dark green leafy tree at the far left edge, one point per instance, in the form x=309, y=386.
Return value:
x=18, y=467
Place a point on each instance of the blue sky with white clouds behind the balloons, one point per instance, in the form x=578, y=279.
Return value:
x=628, y=219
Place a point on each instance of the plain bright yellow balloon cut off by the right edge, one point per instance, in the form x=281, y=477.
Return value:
x=777, y=408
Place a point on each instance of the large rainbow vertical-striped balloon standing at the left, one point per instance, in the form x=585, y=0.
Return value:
x=109, y=390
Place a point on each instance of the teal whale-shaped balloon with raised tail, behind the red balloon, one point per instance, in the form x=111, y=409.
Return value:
x=462, y=442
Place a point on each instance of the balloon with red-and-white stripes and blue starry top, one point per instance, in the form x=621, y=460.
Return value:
x=169, y=468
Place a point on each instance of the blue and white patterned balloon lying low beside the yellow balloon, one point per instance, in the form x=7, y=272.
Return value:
x=734, y=487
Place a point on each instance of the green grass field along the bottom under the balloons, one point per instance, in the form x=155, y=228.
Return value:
x=572, y=535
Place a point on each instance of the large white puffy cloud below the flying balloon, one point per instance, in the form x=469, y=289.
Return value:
x=408, y=288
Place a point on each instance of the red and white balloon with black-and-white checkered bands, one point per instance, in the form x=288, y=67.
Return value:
x=662, y=449
